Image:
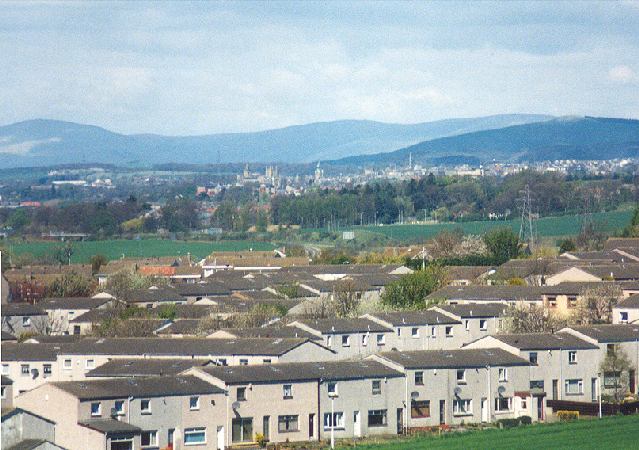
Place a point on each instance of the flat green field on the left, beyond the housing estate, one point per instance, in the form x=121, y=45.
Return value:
x=146, y=248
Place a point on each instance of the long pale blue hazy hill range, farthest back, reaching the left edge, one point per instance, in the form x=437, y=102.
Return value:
x=48, y=142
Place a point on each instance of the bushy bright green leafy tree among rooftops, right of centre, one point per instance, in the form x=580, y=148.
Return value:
x=411, y=290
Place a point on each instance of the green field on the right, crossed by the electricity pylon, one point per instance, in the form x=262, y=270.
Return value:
x=546, y=227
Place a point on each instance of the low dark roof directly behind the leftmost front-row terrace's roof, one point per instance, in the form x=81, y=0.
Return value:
x=144, y=367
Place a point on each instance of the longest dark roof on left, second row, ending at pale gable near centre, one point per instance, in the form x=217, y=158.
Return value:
x=184, y=347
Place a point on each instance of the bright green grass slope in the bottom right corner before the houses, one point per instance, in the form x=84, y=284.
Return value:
x=608, y=433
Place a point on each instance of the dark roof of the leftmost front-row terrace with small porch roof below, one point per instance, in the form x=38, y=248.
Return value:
x=137, y=387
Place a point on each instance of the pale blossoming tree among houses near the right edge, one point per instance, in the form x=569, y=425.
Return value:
x=595, y=304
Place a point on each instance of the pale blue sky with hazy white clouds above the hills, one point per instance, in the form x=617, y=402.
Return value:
x=199, y=68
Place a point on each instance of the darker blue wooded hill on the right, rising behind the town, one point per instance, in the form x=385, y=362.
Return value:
x=561, y=138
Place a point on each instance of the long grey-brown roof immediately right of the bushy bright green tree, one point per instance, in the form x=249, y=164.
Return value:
x=487, y=293
